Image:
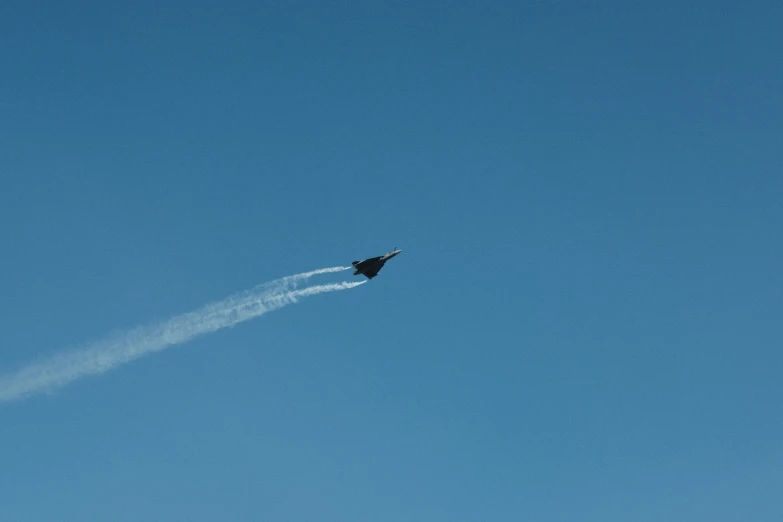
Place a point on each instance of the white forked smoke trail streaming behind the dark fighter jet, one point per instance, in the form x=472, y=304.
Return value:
x=101, y=356
